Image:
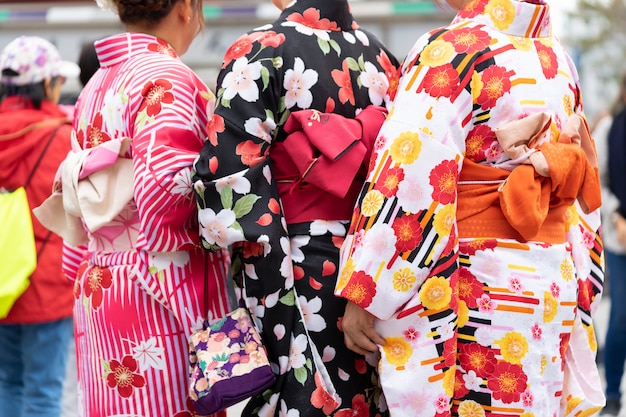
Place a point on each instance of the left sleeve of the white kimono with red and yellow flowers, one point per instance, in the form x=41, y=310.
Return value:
x=403, y=236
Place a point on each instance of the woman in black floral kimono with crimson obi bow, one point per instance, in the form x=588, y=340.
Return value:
x=284, y=201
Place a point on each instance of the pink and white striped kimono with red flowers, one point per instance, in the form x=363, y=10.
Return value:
x=139, y=287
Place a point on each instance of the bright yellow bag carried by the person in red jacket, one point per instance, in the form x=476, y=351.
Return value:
x=18, y=255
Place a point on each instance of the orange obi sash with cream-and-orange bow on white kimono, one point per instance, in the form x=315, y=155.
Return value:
x=529, y=201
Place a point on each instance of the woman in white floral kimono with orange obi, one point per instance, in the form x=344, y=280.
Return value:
x=473, y=262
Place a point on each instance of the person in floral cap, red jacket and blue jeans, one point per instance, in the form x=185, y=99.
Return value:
x=34, y=139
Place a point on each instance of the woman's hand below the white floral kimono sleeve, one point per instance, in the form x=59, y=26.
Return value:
x=358, y=330
